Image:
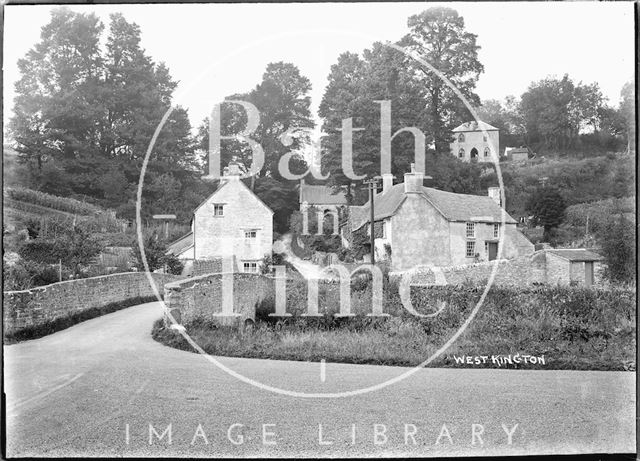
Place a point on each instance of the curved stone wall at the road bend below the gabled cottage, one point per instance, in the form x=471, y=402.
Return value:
x=201, y=298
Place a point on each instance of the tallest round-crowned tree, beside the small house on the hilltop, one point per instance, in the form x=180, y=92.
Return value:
x=438, y=36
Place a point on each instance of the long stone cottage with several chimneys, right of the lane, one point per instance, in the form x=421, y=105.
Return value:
x=418, y=225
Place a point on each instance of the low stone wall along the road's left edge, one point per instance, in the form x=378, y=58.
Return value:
x=42, y=305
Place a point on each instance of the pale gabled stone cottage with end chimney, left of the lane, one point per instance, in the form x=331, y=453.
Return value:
x=231, y=222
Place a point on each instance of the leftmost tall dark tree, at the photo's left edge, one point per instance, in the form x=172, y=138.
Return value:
x=57, y=101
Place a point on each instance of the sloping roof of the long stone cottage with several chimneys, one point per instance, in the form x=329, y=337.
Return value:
x=454, y=207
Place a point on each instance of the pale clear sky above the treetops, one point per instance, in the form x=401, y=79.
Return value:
x=215, y=50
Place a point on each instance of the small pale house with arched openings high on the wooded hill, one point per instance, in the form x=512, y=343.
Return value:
x=471, y=143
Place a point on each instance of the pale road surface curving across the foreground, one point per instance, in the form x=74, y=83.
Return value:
x=76, y=392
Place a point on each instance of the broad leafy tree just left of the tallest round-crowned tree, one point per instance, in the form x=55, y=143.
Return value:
x=356, y=87
